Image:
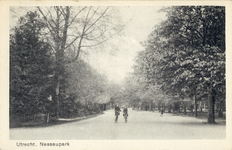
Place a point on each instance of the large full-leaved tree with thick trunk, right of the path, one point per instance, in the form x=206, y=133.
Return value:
x=185, y=54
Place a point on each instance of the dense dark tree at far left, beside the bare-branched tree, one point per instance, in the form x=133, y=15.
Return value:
x=30, y=65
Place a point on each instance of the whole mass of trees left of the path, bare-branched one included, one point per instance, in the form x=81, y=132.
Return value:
x=46, y=73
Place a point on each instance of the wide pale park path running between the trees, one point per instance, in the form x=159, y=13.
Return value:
x=140, y=125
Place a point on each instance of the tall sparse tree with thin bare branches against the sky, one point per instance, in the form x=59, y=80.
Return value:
x=74, y=28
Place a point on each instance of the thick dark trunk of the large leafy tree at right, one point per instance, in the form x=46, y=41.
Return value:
x=211, y=101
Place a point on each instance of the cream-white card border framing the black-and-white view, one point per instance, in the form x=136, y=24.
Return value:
x=5, y=143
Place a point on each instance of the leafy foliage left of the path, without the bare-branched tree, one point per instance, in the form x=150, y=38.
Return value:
x=33, y=78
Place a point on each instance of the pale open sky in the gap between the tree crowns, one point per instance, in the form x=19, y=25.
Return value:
x=140, y=22
